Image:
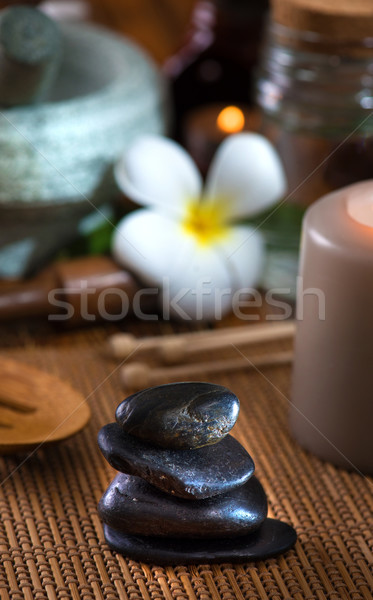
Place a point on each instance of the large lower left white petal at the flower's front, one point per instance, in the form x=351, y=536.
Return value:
x=195, y=279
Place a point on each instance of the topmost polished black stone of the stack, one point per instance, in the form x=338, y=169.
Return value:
x=180, y=415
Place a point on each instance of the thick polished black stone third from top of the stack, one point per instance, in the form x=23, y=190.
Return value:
x=132, y=505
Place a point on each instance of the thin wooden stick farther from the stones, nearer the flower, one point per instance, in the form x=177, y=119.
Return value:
x=121, y=345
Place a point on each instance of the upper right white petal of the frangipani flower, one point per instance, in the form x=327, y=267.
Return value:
x=247, y=174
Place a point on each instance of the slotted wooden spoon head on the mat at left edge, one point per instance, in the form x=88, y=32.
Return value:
x=36, y=408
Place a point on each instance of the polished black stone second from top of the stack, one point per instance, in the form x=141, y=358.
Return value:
x=195, y=474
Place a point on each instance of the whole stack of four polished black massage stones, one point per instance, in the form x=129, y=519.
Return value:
x=186, y=492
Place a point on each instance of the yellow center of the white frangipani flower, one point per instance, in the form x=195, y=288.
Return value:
x=206, y=221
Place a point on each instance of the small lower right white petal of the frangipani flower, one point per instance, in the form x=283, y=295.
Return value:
x=243, y=253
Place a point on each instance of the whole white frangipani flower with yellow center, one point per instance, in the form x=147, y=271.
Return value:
x=187, y=239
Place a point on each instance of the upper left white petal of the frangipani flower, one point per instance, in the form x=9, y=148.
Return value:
x=156, y=171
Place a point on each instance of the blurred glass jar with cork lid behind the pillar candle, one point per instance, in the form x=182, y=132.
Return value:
x=315, y=91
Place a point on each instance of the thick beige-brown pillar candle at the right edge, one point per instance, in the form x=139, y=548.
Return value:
x=332, y=396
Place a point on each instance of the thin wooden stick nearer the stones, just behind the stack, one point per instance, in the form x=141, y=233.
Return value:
x=139, y=375
